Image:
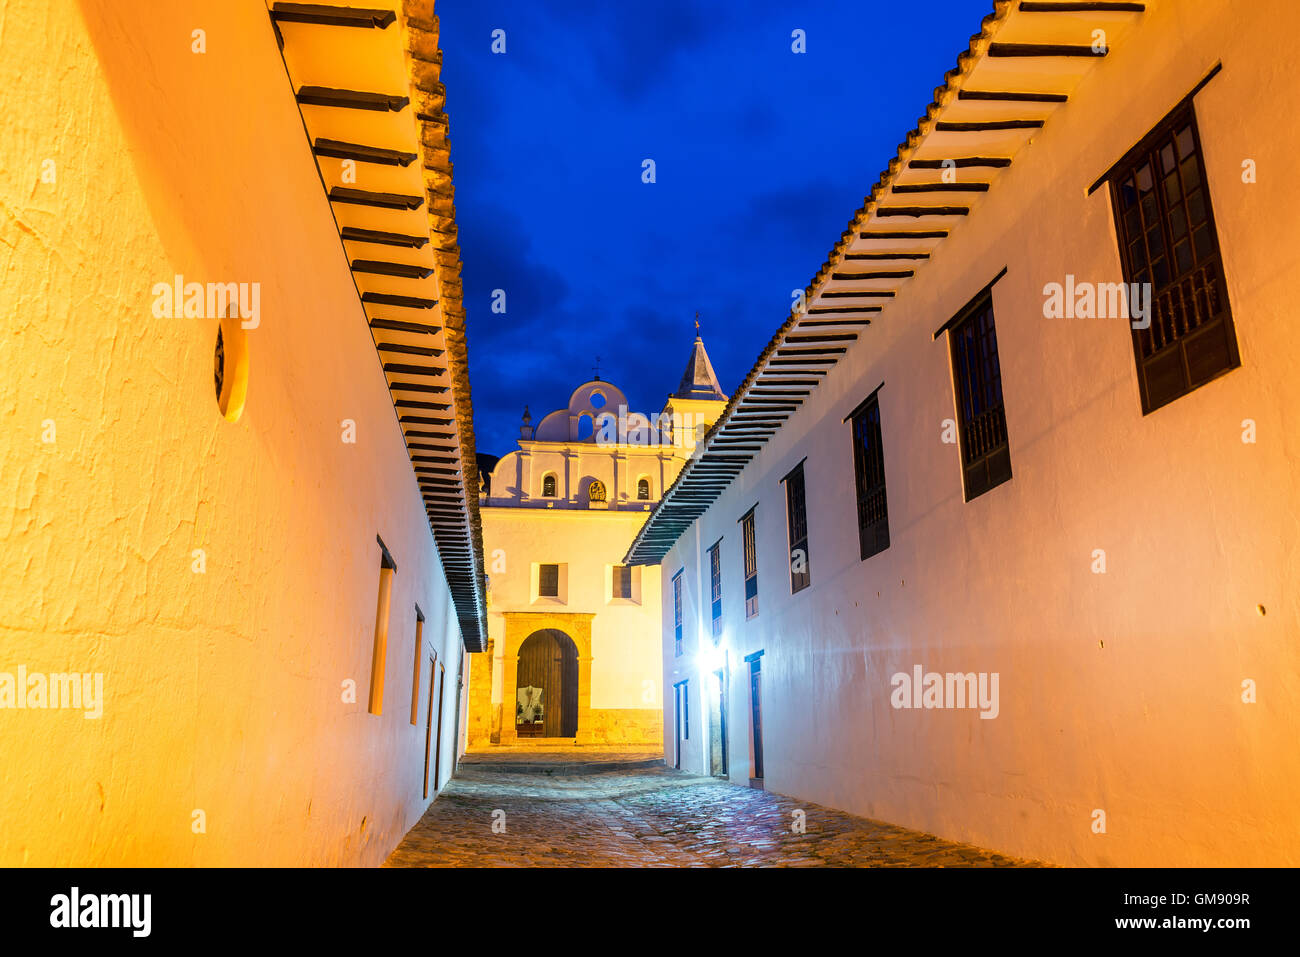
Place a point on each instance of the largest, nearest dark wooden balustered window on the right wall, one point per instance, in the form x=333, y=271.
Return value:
x=1169, y=245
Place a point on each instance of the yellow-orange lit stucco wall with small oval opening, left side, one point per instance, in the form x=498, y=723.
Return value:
x=224, y=688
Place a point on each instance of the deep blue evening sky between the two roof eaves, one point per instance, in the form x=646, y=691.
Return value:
x=762, y=158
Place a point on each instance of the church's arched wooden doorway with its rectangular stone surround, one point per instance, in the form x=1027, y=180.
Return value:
x=551, y=652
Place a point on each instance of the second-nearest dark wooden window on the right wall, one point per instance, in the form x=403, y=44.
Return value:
x=981, y=412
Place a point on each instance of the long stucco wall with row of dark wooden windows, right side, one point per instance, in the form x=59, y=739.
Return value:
x=1120, y=692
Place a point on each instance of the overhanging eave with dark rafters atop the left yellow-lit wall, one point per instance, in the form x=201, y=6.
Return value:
x=406, y=205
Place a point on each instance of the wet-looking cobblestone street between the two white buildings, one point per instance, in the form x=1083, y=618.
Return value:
x=653, y=819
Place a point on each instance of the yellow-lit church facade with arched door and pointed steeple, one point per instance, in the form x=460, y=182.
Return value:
x=573, y=652
